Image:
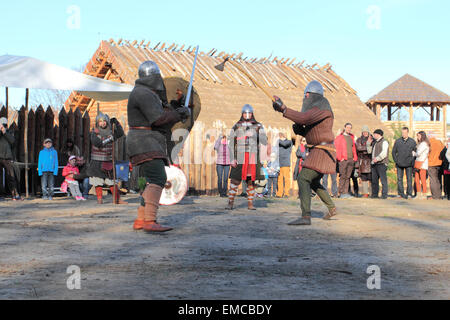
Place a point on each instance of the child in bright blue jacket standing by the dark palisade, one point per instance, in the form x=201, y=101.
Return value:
x=48, y=169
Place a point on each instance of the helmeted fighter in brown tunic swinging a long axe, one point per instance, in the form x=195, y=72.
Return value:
x=315, y=123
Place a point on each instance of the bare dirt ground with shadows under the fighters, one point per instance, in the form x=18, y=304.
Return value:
x=215, y=254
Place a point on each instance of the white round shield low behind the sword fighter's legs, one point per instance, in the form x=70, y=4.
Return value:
x=176, y=186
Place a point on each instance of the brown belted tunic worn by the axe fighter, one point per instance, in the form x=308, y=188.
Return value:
x=319, y=129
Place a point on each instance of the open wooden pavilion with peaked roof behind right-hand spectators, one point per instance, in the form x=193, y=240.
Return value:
x=412, y=94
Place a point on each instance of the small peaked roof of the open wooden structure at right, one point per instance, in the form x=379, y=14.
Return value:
x=409, y=89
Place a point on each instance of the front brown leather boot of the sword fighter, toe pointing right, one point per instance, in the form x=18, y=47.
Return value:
x=152, y=195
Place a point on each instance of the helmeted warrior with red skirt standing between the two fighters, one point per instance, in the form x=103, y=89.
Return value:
x=245, y=156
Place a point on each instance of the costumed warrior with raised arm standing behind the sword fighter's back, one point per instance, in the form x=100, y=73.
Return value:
x=100, y=170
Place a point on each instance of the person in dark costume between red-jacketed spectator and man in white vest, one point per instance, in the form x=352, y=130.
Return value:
x=364, y=159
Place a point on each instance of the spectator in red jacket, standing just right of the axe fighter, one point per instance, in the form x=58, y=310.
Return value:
x=346, y=157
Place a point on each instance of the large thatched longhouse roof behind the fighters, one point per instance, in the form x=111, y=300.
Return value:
x=223, y=94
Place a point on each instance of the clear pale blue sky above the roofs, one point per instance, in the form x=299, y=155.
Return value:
x=369, y=43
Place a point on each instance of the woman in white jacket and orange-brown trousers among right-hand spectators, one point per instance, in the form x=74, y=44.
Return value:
x=421, y=165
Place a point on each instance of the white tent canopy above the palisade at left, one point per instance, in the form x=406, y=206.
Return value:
x=27, y=72
